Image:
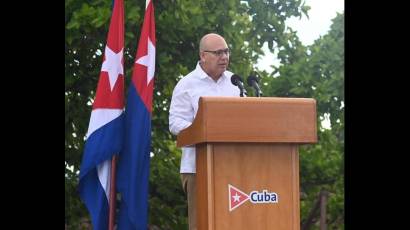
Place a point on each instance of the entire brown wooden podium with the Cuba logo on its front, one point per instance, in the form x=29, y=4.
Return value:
x=247, y=160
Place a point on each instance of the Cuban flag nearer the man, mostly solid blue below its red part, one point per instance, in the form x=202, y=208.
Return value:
x=133, y=164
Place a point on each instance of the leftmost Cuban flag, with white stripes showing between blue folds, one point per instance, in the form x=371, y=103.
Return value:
x=105, y=131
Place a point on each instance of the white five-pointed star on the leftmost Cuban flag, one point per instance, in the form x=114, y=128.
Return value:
x=113, y=65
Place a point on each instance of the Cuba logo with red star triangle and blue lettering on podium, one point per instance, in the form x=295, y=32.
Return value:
x=238, y=197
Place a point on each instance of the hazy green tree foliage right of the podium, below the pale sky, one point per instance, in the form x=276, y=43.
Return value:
x=317, y=71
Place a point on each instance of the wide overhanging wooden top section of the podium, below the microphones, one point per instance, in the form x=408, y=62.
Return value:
x=252, y=119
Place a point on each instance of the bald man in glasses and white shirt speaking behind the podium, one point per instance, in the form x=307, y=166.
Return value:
x=210, y=78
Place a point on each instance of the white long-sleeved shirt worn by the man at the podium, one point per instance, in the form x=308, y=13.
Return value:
x=184, y=105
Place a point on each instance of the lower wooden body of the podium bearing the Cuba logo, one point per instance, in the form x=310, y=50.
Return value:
x=248, y=186
